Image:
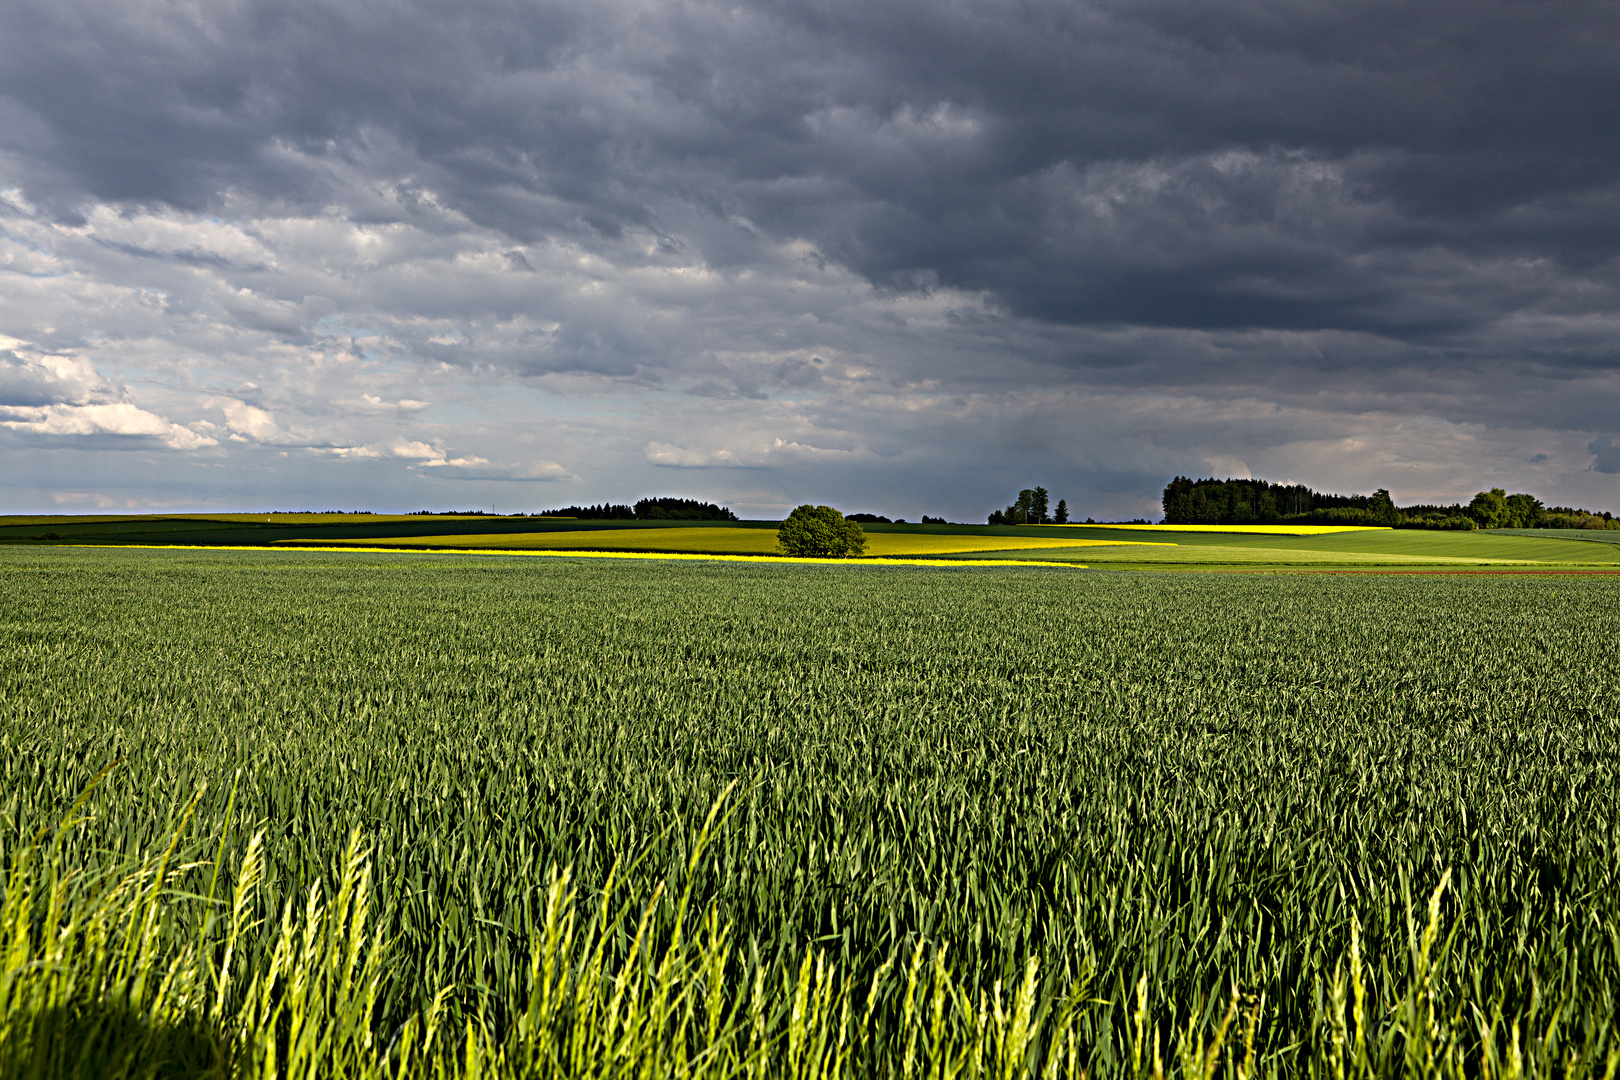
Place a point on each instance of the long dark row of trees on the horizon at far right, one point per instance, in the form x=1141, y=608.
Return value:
x=1256, y=501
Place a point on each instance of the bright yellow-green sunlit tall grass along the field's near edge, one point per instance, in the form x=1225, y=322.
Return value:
x=121, y=974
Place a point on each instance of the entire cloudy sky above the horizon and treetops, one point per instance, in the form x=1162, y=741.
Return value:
x=900, y=257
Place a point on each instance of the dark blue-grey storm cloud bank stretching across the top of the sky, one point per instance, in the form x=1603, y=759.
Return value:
x=1298, y=166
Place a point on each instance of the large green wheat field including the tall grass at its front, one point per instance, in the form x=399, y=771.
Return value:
x=312, y=815
